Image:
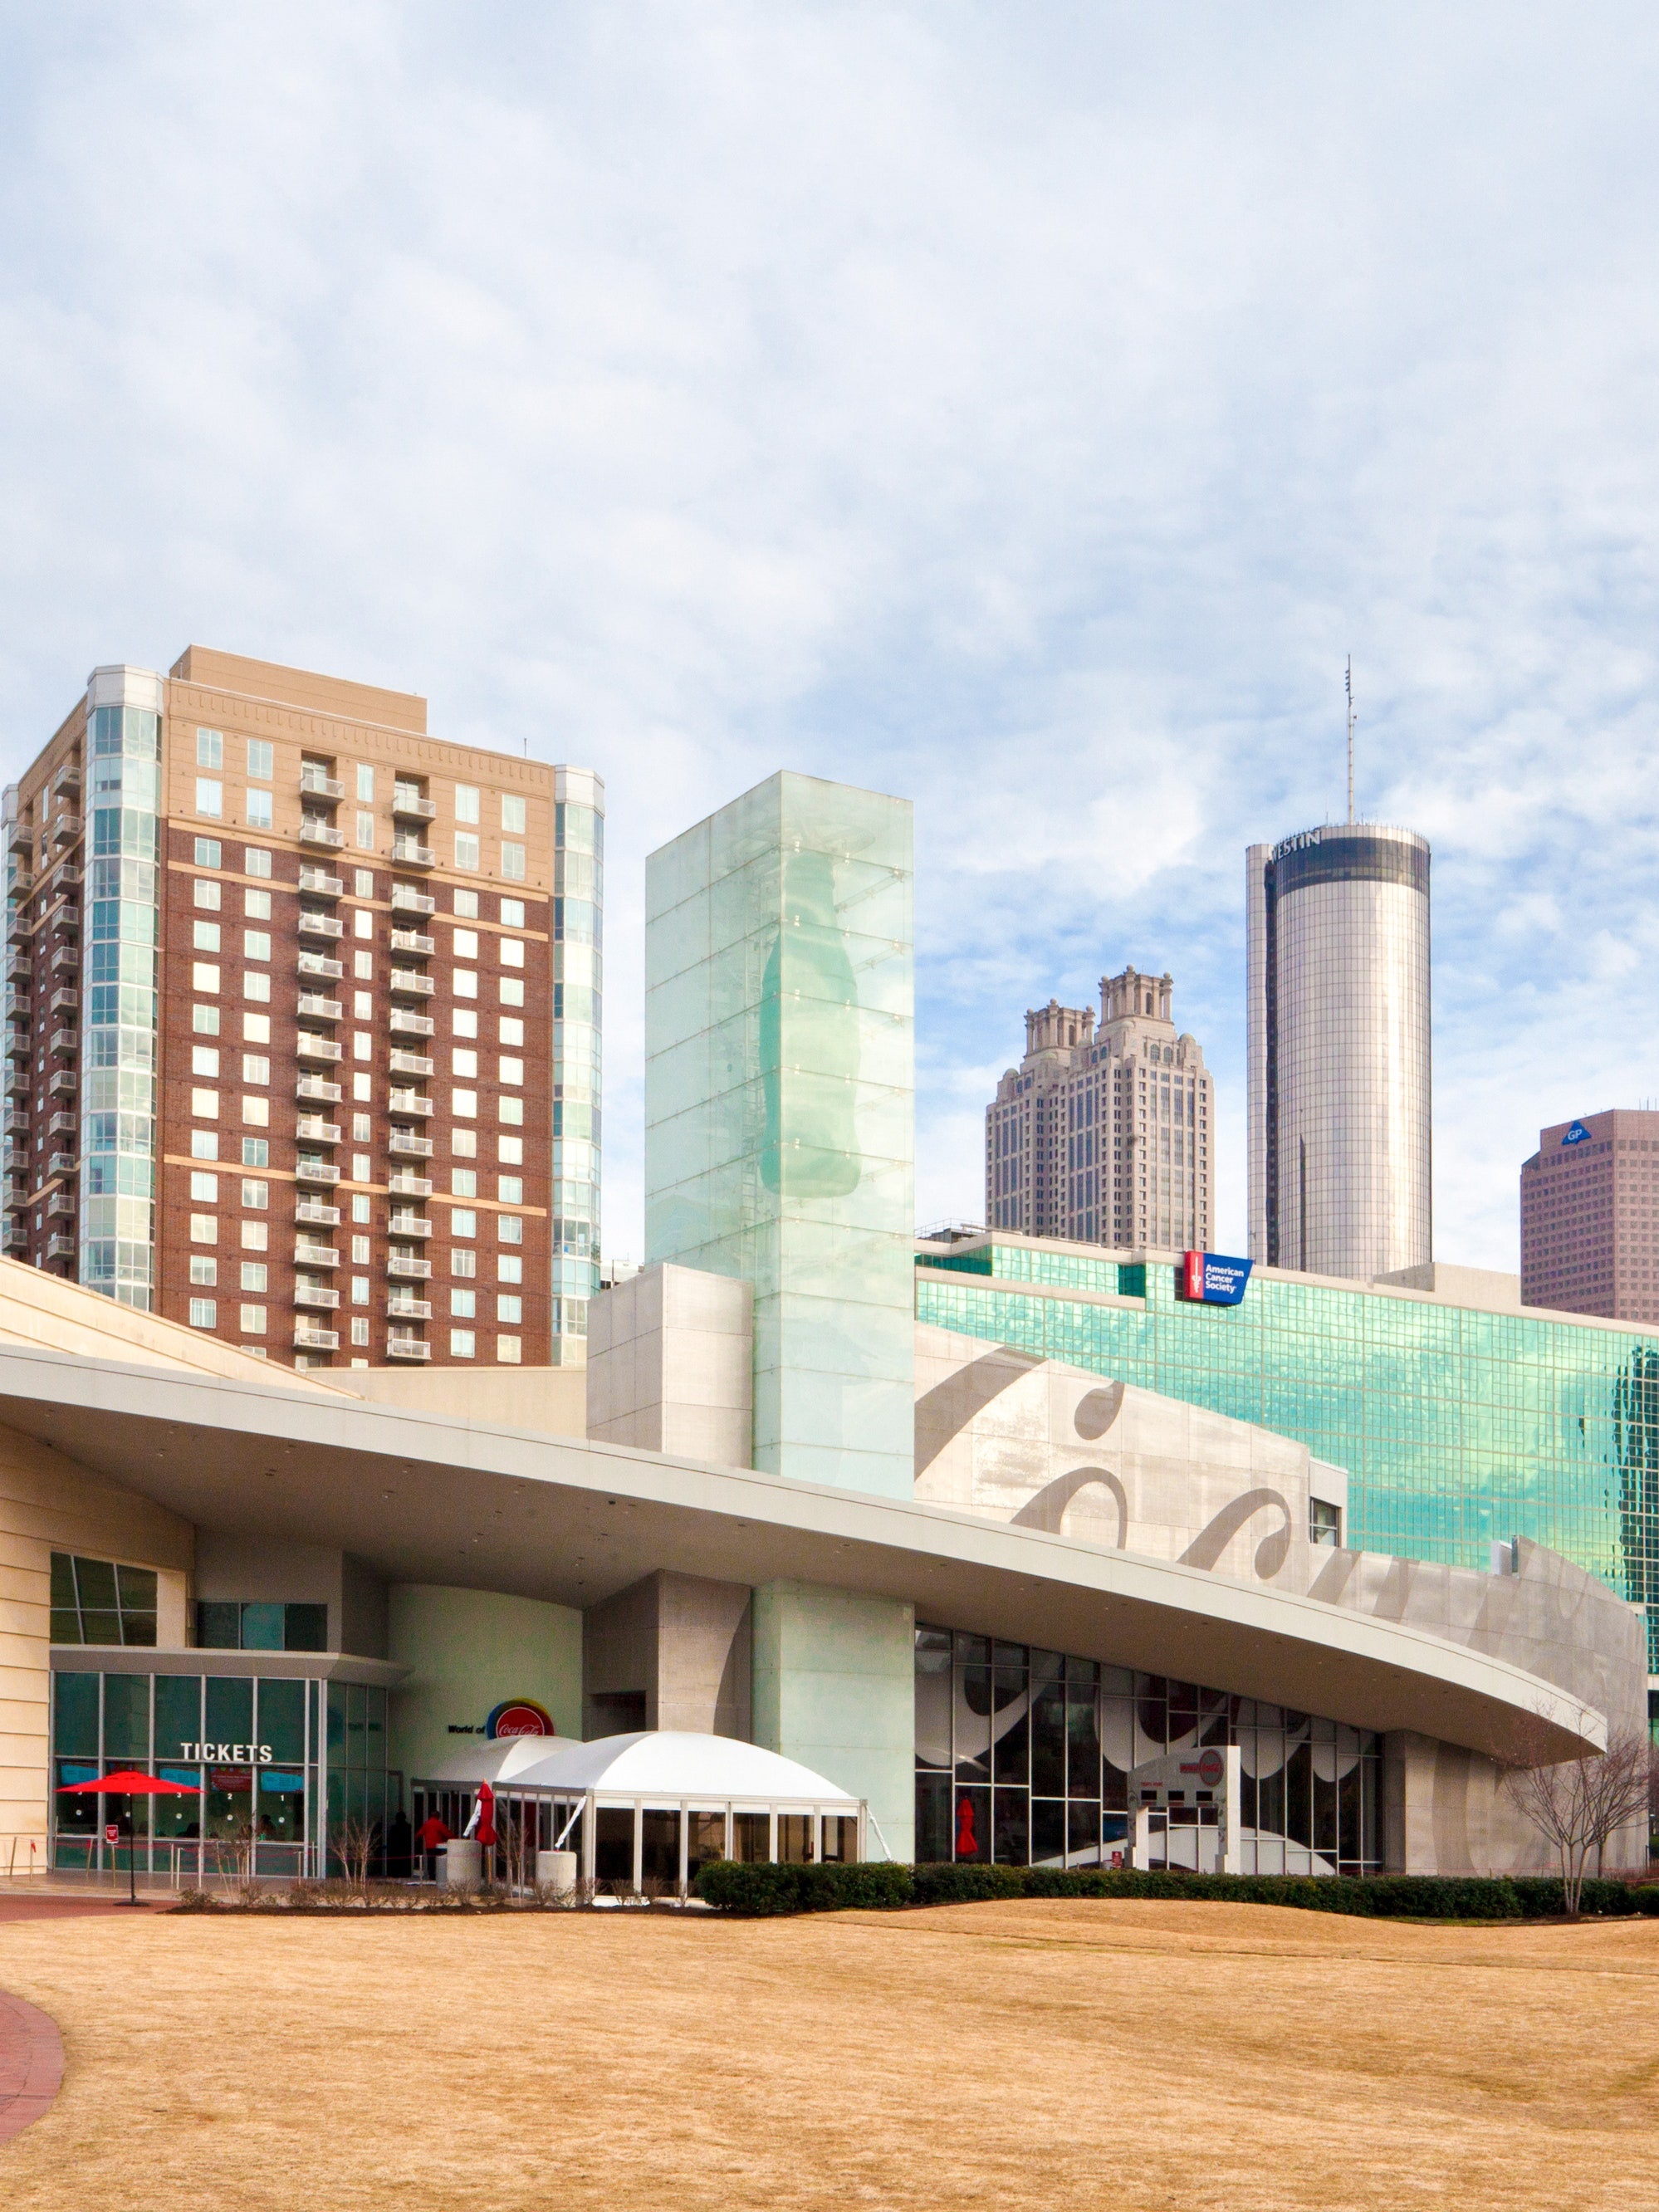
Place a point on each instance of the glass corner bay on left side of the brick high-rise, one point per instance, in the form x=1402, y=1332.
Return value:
x=118, y=1027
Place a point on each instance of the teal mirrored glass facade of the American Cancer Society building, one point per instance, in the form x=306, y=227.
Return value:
x=1457, y=1428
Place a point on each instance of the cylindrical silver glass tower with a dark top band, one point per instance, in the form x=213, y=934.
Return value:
x=1339, y=1052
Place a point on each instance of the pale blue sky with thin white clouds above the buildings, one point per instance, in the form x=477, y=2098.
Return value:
x=1021, y=410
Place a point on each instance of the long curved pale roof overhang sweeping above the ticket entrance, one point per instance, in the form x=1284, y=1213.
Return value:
x=426, y=1499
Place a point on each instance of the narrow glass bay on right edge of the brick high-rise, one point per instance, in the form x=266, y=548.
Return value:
x=578, y=983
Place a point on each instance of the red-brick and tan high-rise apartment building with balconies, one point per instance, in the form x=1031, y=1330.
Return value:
x=304, y=1021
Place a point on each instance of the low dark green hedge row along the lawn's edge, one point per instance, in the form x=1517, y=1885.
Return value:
x=1381, y=1897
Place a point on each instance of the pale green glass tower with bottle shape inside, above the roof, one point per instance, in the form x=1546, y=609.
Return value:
x=780, y=1109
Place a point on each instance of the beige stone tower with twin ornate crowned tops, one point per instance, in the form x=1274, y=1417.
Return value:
x=1105, y=1136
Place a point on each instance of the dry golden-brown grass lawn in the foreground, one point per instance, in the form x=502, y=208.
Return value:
x=977, y=2056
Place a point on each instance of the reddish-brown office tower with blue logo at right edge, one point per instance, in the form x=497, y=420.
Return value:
x=1592, y=1218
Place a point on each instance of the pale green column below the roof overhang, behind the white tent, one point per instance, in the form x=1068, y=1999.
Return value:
x=835, y=1687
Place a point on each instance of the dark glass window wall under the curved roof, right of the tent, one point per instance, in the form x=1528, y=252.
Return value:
x=1025, y=1755
